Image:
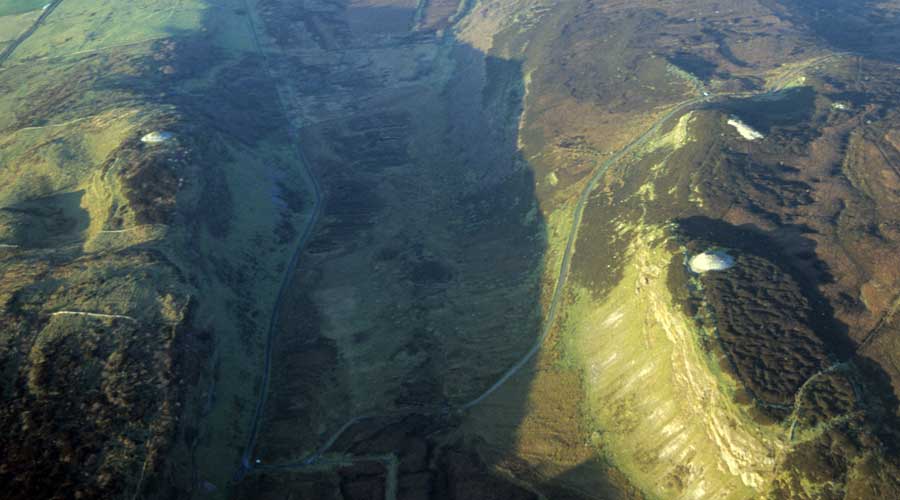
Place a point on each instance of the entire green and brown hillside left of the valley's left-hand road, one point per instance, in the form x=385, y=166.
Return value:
x=130, y=267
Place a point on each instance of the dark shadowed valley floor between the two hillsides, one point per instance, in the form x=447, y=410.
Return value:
x=457, y=287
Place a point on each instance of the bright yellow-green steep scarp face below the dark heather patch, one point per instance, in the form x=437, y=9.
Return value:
x=661, y=407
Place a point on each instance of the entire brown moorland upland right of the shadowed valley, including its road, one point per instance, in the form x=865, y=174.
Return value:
x=771, y=378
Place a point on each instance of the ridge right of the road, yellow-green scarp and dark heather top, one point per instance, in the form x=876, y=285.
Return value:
x=732, y=383
